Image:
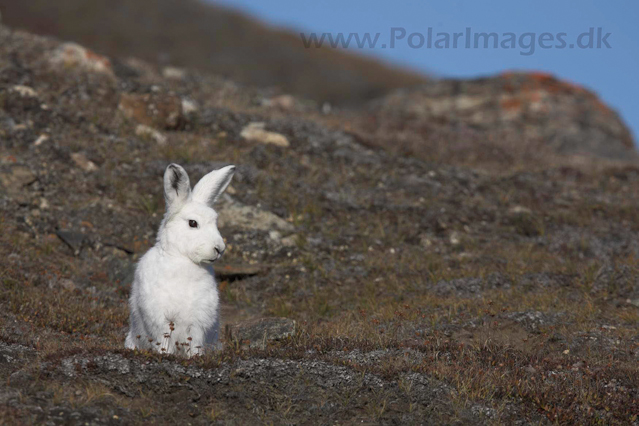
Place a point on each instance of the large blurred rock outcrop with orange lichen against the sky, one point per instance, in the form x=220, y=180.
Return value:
x=528, y=108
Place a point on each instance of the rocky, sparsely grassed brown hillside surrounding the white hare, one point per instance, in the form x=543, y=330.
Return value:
x=373, y=274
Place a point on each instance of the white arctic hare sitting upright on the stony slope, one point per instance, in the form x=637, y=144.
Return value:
x=174, y=298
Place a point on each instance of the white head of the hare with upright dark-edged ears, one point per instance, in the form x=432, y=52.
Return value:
x=189, y=227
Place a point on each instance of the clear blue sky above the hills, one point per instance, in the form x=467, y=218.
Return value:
x=612, y=72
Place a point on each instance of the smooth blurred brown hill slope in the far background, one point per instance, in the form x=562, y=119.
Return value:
x=196, y=34
